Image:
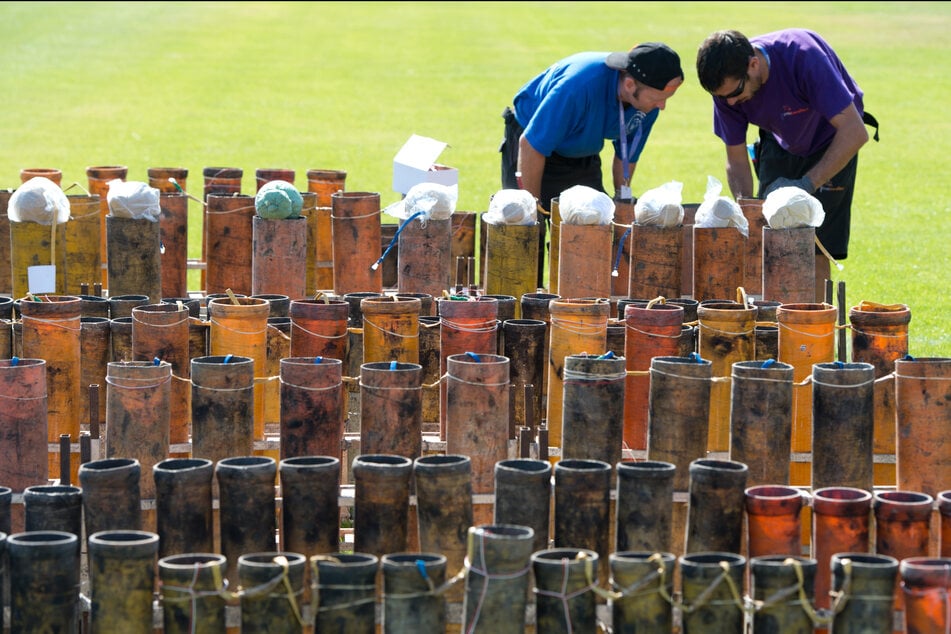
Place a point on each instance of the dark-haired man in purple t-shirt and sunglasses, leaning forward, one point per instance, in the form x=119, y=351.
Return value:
x=811, y=120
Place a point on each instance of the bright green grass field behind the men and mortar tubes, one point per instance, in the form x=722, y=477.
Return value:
x=342, y=85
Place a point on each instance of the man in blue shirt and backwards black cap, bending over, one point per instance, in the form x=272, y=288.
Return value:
x=558, y=122
